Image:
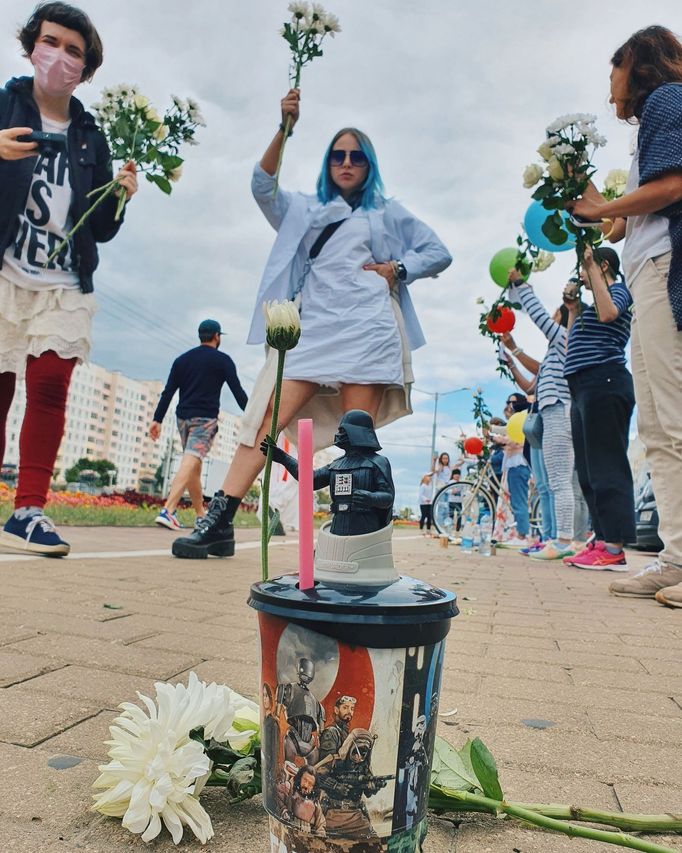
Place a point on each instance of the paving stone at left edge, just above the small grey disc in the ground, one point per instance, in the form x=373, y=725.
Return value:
x=29, y=717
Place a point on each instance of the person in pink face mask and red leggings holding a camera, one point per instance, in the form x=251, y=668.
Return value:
x=46, y=307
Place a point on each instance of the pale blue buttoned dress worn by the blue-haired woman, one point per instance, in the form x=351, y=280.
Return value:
x=349, y=332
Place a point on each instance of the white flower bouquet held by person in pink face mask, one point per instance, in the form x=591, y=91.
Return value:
x=135, y=132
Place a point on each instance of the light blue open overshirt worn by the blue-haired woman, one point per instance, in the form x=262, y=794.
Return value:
x=396, y=235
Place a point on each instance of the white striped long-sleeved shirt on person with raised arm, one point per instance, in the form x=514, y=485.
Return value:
x=551, y=386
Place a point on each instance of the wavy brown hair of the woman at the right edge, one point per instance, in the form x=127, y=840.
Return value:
x=652, y=57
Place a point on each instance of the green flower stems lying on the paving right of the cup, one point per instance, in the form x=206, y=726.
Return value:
x=444, y=798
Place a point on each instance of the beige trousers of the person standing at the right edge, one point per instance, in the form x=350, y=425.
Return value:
x=657, y=374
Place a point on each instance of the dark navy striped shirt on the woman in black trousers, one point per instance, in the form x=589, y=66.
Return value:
x=591, y=343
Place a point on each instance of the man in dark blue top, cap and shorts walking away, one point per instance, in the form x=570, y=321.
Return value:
x=199, y=375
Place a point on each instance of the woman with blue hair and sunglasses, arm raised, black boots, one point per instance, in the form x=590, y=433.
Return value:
x=345, y=256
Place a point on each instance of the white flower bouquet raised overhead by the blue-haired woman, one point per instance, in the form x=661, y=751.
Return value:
x=304, y=34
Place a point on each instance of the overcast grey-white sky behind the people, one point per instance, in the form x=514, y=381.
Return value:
x=455, y=96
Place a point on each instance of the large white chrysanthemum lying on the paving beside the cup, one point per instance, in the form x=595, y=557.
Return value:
x=156, y=771
